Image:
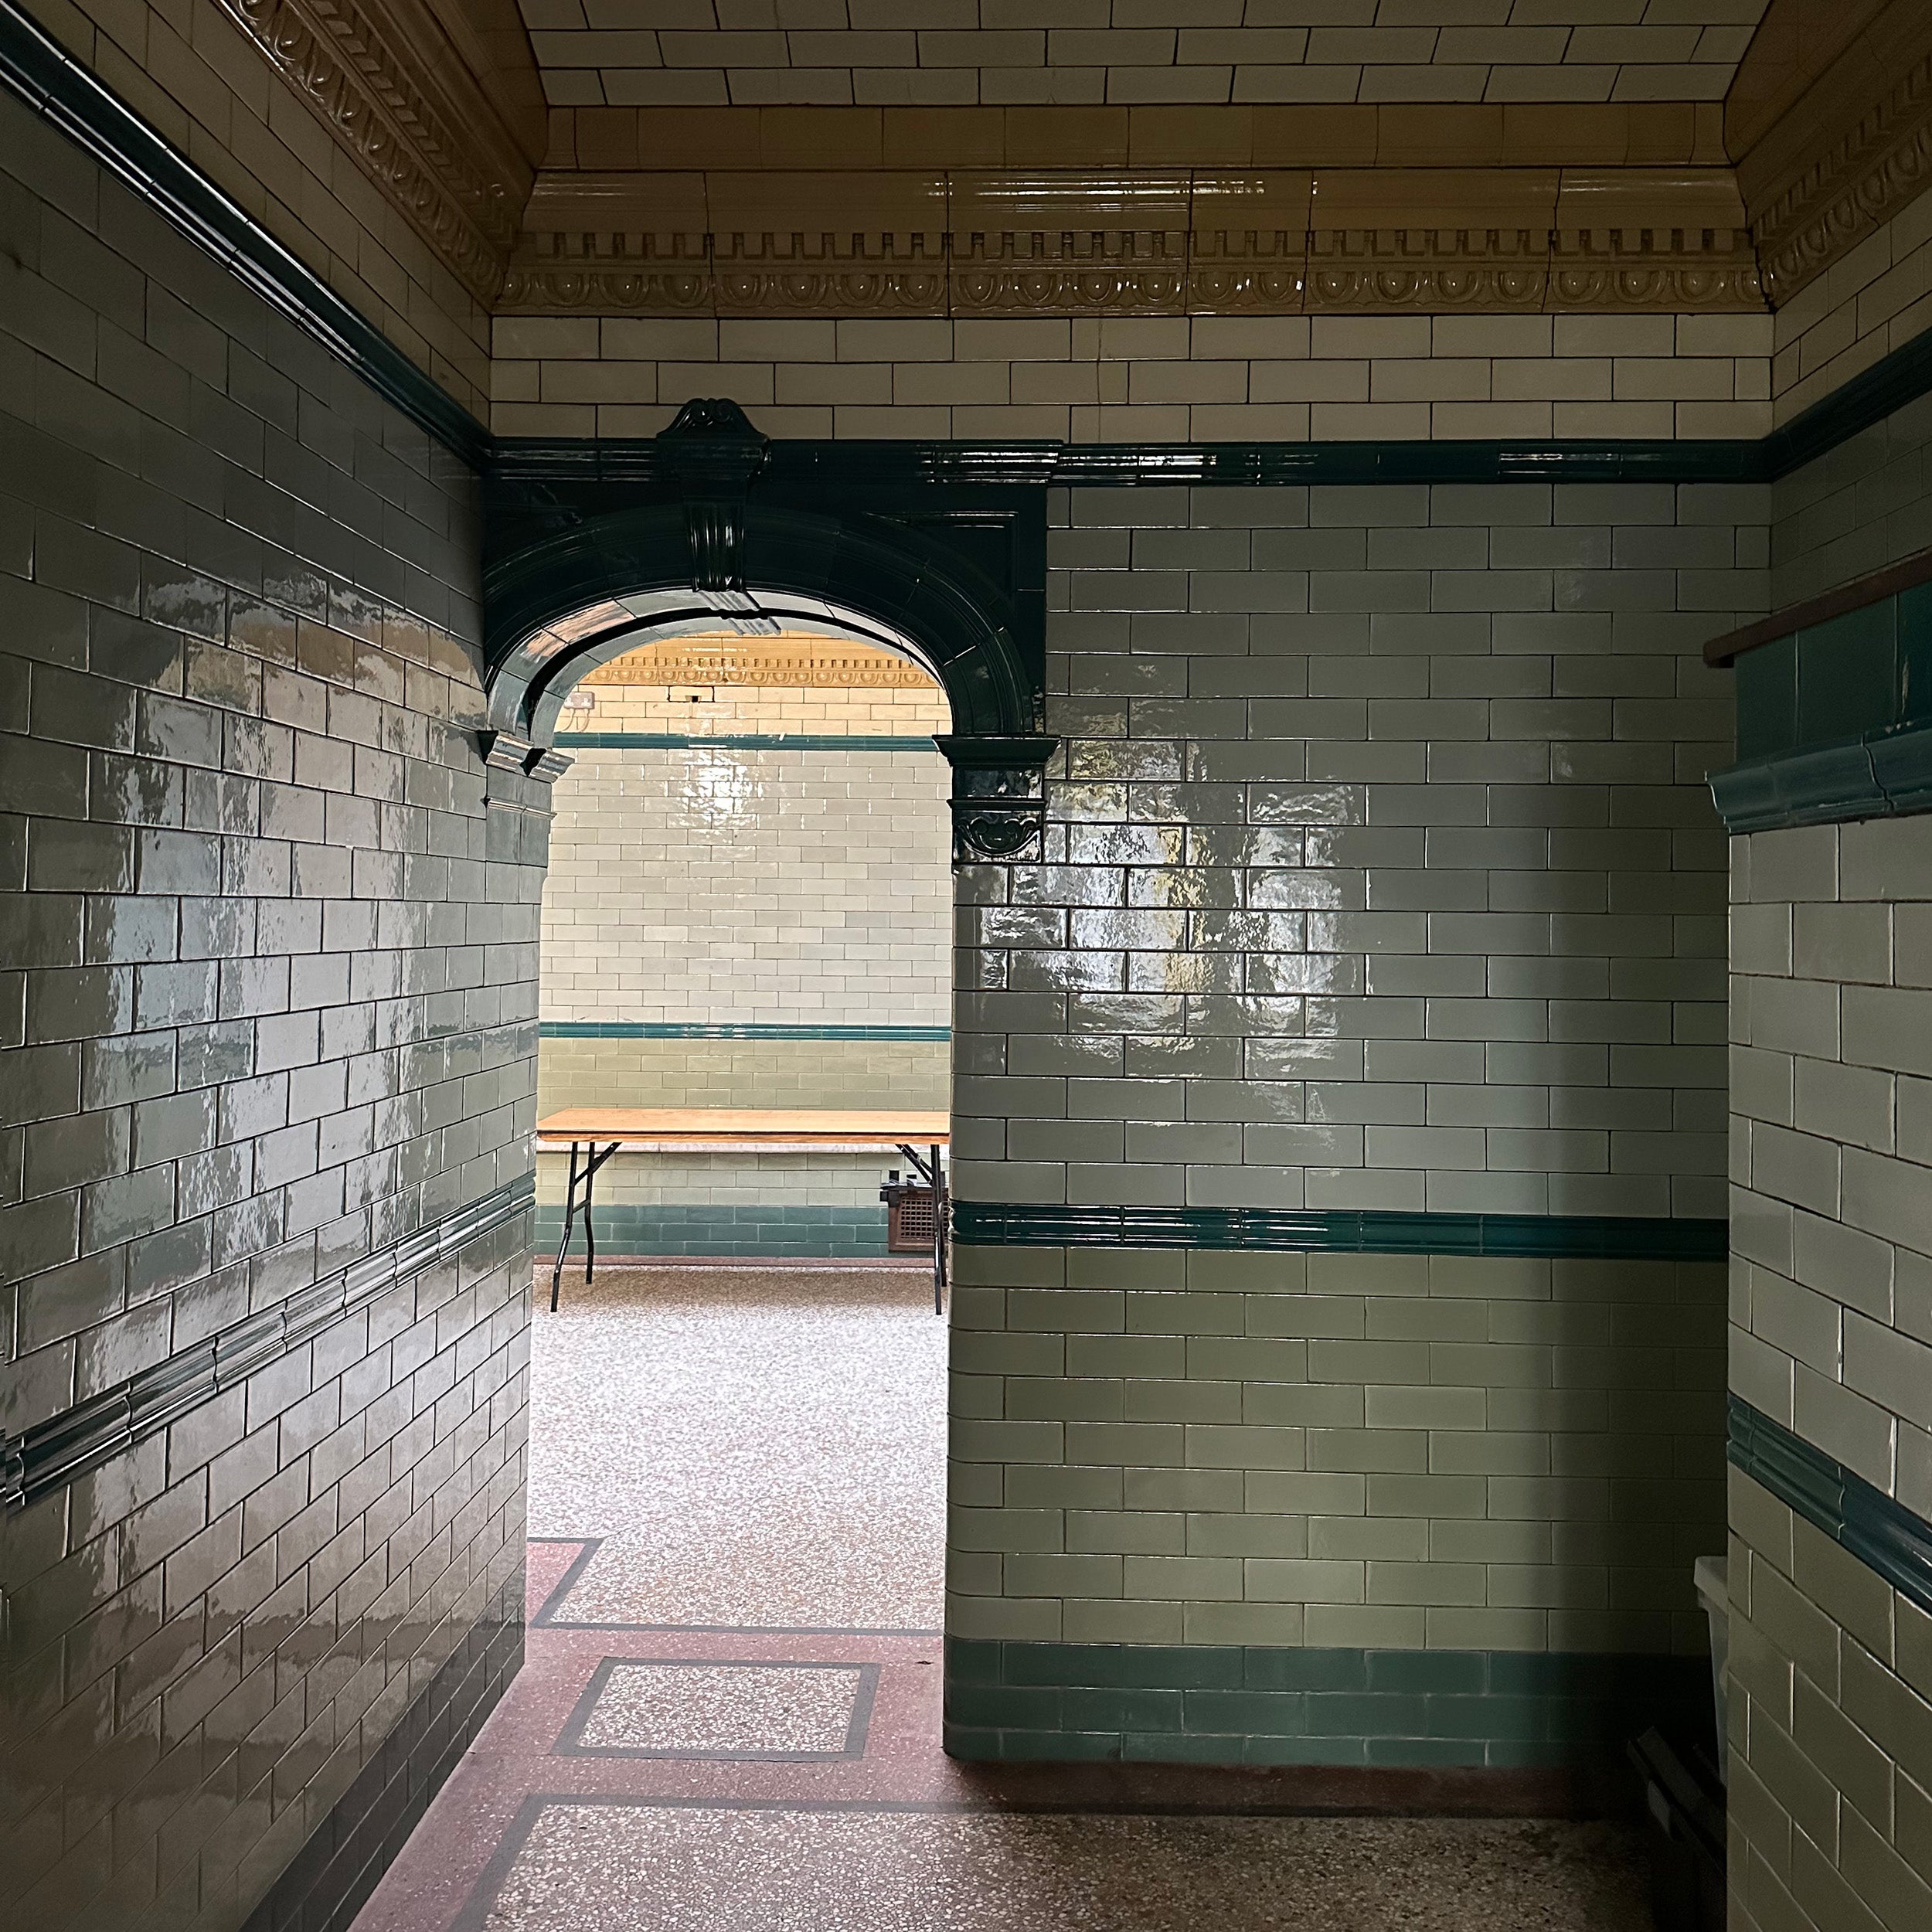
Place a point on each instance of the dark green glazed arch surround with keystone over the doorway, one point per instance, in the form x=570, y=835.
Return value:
x=714, y=534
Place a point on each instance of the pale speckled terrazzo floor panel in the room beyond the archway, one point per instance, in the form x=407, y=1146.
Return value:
x=754, y=1448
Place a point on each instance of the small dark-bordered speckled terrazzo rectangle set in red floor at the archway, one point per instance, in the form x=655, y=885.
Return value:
x=642, y=1709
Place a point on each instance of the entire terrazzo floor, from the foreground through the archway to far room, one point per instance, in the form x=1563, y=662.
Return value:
x=729, y=1717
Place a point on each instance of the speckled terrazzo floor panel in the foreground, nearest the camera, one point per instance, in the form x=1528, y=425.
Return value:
x=584, y=1867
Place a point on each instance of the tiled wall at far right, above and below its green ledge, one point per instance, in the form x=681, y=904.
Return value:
x=1833, y=1286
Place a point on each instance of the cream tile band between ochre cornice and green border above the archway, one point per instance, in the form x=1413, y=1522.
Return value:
x=1162, y=380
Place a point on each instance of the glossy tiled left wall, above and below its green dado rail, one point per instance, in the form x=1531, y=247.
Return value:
x=270, y=973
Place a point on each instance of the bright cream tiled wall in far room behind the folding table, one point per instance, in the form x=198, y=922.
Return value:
x=710, y=888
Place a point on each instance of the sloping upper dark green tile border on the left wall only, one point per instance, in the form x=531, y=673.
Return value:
x=71, y=99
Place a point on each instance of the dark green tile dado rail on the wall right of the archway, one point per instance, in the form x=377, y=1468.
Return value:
x=1344, y=1232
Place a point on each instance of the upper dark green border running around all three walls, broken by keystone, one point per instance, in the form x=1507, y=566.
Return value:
x=65, y=94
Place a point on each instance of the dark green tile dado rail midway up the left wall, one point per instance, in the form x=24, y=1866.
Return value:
x=94, y=1433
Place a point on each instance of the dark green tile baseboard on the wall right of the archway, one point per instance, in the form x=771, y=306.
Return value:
x=1276, y=1705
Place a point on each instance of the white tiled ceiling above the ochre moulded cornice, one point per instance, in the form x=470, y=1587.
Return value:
x=963, y=53
